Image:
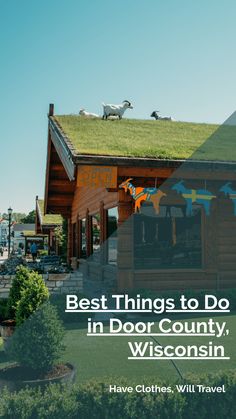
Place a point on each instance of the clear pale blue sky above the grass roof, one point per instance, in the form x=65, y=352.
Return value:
x=176, y=56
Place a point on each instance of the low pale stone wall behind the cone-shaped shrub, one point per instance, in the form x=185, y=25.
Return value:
x=56, y=283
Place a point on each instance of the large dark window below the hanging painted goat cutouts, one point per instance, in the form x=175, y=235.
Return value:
x=169, y=240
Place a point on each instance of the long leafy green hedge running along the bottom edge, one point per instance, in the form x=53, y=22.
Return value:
x=93, y=400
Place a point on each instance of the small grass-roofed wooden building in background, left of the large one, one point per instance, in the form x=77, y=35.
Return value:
x=45, y=224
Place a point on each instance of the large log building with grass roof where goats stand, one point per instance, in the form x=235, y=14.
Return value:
x=88, y=159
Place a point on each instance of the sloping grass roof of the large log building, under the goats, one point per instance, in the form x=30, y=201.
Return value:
x=152, y=139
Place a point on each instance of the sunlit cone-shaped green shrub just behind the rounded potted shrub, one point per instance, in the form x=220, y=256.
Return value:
x=31, y=298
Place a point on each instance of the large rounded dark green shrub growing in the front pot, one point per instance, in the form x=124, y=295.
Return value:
x=37, y=343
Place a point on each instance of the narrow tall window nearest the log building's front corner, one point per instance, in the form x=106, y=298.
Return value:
x=112, y=223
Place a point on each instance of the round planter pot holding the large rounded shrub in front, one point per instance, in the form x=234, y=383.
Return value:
x=12, y=378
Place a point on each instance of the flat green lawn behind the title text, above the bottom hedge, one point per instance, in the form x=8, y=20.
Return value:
x=105, y=358
